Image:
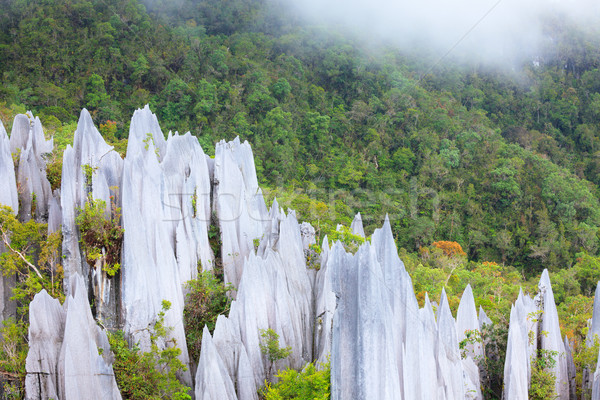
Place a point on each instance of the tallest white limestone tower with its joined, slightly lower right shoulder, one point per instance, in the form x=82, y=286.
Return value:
x=166, y=214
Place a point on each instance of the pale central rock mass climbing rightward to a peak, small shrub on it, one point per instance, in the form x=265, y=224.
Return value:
x=274, y=292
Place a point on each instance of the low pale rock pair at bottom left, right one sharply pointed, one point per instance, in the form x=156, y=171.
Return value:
x=63, y=360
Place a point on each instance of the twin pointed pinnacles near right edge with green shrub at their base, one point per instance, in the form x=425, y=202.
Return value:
x=528, y=319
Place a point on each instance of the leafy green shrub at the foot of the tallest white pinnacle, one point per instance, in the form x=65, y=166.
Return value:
x=149, y=375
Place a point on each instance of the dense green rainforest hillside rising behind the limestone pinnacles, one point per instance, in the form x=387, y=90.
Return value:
x=504, y=162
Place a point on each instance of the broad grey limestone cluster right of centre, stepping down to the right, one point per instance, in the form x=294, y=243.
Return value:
x=382, y=345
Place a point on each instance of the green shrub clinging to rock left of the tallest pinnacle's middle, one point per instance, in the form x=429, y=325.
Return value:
x=101, y=238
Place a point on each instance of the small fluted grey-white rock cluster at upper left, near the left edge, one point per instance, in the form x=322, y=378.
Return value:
x=28, y=142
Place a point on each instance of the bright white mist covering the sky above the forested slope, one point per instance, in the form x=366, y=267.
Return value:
x=490, y=30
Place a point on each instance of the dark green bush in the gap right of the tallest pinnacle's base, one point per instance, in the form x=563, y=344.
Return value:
x=205, y=301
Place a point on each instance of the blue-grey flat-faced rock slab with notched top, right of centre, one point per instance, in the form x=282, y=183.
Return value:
x=364, y=362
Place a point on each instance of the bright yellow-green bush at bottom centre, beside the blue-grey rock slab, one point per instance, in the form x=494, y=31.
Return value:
x=308, y=384
